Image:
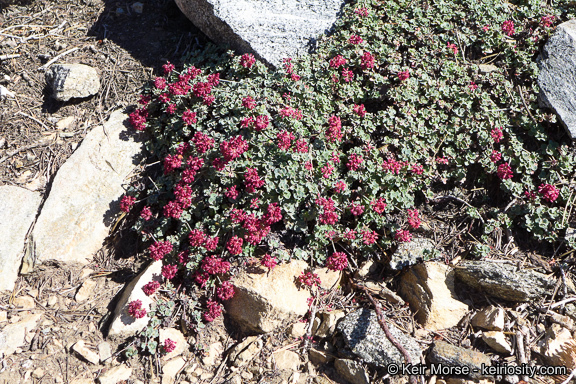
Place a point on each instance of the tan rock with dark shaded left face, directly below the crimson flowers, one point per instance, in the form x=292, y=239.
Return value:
x=262, y=302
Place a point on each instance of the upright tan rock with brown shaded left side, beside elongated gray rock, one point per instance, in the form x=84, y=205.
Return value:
x=429, y=288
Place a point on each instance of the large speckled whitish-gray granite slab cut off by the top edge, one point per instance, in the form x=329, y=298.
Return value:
x=271, y=29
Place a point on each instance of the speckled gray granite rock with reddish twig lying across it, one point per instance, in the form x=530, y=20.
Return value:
x=367, y=340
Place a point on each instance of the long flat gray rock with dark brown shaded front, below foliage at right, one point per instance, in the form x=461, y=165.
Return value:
x=504, y=281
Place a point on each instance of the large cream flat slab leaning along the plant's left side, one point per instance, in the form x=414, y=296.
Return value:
x=83, y=201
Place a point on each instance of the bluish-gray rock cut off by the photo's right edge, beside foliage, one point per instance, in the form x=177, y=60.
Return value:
x=557, y=78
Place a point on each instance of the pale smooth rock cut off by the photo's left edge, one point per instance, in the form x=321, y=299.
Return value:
x=18, y=208
